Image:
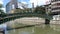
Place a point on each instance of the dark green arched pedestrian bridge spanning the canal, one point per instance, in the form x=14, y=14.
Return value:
x=8, y=17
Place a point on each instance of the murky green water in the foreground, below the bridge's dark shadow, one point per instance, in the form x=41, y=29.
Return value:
x=39, y=29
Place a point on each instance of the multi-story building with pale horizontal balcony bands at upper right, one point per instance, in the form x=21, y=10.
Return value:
x=55, y=6
